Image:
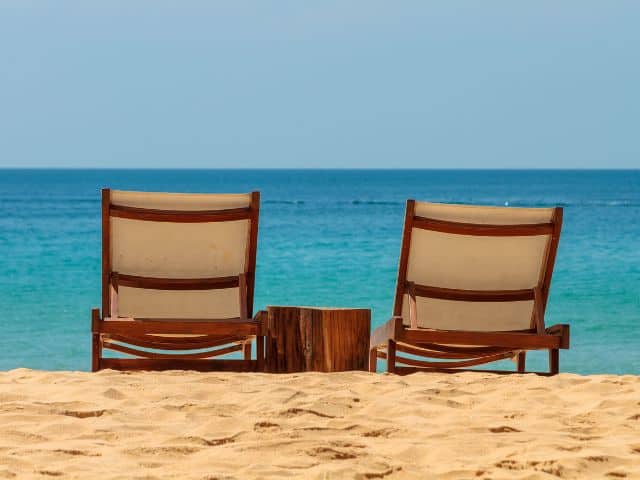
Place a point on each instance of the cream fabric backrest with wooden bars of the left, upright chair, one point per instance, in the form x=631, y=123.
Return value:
x=181, y=256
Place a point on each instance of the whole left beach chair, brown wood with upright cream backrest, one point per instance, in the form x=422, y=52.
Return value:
x=178, y=275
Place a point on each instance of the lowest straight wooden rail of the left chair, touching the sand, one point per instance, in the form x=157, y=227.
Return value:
x=205, y=365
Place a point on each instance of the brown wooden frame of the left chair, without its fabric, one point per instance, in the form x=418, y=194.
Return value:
x=123, y=334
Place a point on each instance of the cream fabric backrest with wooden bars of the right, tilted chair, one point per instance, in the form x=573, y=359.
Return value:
x=475, y=268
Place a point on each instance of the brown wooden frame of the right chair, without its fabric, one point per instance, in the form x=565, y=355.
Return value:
x=472, y=348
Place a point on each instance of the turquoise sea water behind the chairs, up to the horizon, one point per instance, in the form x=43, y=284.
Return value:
x=328, y=237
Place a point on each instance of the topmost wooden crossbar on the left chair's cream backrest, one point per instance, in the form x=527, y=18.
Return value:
x=180, y=216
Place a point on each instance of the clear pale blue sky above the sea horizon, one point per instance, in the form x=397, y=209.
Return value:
x=448, y=84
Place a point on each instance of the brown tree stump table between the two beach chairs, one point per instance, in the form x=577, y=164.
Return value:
x=316, y=339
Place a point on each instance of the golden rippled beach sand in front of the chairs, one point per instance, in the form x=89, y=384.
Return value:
x=188, y=425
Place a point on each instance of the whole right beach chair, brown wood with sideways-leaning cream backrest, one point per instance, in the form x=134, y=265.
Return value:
x=472, y=288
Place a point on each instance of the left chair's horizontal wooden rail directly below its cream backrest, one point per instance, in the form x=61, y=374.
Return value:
x=139, y=327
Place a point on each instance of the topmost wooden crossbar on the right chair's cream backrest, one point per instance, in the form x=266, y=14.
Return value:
x=482, y=230
